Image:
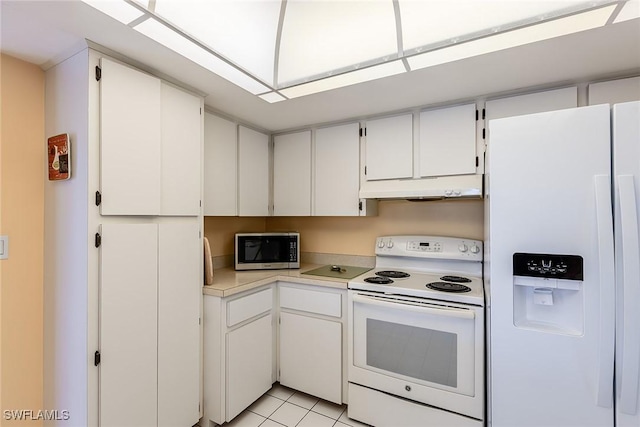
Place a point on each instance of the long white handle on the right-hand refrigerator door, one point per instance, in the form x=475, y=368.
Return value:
x=631, y=288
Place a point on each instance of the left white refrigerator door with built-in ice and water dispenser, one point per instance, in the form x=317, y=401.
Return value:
x=551, y=365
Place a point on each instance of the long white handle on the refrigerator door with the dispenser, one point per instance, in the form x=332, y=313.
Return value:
x=604, y=220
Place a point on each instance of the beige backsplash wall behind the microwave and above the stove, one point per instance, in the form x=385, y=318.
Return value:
x=356, y=235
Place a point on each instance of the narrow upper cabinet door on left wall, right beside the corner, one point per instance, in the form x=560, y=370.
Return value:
x=253, y=173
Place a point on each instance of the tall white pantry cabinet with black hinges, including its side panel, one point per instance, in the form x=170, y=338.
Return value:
x=123, y=238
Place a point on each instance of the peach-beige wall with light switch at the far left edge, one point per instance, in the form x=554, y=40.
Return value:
x=22, y=151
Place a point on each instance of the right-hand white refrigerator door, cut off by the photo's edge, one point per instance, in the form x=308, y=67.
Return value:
x=626, y=163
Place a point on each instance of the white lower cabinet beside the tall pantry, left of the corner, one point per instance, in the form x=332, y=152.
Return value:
x=239, y=351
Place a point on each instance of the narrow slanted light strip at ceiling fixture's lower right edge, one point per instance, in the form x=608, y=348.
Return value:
x=534, y=33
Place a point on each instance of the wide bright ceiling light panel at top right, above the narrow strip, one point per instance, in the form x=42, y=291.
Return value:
x=444, y=22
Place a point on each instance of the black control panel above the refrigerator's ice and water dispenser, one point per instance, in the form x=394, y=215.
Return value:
x=567, y=267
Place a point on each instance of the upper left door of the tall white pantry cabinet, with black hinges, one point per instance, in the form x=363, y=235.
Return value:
x=130, y=135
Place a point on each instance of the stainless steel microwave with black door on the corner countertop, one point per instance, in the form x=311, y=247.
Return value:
x=263, y=251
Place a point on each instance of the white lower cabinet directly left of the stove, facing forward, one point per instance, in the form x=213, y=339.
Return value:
x=311, y=340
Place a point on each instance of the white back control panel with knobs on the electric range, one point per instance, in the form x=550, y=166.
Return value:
x=430, y=246
